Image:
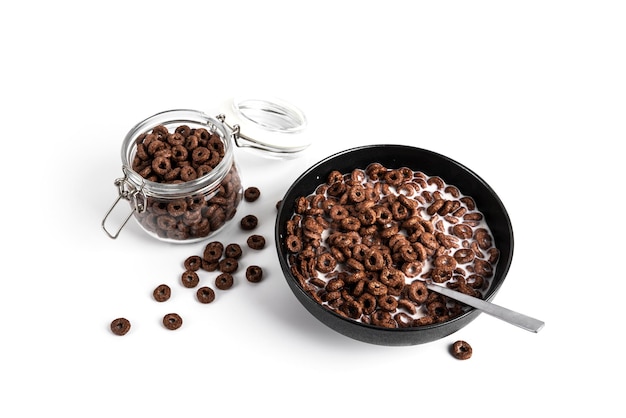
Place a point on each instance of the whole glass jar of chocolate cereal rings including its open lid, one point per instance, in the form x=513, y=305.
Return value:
x=185, y=208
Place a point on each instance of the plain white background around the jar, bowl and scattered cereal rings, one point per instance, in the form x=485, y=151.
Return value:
x=530, y=95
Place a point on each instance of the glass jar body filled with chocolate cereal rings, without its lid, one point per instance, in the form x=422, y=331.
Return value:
x=193, y=203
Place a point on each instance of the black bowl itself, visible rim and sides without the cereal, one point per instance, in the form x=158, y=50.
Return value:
x=431, y=164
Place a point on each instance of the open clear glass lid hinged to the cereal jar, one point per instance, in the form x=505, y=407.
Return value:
x=266, y=124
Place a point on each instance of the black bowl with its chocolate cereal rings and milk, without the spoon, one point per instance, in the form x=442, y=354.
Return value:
x=360, y=233
